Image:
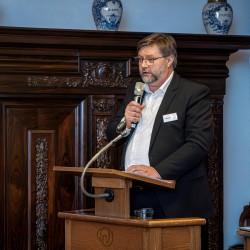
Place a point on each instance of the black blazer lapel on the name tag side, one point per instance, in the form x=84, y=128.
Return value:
x=166, y=101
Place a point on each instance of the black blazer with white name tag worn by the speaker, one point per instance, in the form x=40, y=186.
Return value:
x=178, y=148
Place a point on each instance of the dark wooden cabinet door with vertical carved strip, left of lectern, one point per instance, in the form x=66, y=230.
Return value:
x=37, y=138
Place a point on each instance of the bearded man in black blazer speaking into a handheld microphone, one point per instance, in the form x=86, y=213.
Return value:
x=173, y=134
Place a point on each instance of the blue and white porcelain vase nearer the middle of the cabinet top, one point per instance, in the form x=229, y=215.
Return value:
x=107, y=14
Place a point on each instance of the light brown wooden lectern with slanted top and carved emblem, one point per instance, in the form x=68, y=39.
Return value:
x=109, y=225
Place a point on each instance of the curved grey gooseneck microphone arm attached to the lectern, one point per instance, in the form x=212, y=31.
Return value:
x=108, y=195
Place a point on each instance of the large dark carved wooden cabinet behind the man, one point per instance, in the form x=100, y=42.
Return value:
x=58, y=91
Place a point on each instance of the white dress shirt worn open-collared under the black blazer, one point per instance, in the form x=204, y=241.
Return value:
x=138, y=147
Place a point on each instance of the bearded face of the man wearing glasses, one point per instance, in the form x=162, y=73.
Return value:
x=154, y=75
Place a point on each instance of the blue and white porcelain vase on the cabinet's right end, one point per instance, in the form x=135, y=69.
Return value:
x=217, y=16
